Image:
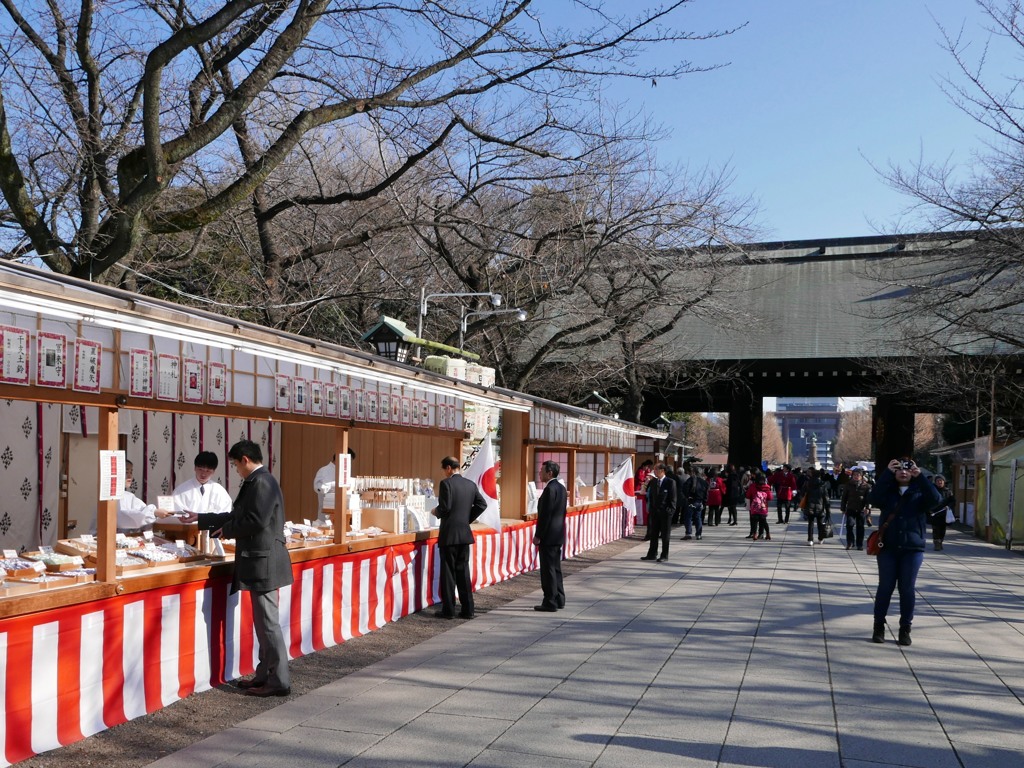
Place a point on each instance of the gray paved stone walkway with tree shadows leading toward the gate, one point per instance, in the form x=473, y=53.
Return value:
x=735, y=654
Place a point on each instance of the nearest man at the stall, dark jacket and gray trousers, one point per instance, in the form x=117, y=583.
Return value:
x=263, y=566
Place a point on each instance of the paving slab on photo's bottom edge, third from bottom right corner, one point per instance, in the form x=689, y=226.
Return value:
x=780, y=744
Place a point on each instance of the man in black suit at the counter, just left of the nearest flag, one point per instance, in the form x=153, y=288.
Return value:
x=459, y=503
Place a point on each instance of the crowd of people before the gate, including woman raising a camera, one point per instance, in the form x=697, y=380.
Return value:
x=907, y=499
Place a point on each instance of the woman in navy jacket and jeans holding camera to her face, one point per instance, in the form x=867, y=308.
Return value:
x=905, y=498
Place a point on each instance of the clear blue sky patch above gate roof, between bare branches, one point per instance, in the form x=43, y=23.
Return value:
x=816, y=93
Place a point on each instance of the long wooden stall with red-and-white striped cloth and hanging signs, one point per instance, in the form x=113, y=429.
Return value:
x=93, y=377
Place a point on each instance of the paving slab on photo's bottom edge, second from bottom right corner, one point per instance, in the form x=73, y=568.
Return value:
x=894, y=742
